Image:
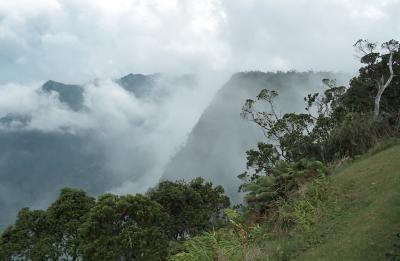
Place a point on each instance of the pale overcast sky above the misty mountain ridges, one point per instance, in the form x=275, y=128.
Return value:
x=78, y=40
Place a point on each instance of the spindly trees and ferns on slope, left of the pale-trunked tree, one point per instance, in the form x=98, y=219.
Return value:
x=325, y=133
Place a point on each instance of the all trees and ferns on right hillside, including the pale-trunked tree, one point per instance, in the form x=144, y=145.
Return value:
x=337, y=123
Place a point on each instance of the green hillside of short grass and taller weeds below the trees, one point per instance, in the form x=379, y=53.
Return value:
x=354, y=214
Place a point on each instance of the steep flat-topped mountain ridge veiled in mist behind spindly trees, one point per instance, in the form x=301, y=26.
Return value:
x=216, y=146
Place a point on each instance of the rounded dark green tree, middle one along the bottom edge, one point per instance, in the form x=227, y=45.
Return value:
x=124, y=228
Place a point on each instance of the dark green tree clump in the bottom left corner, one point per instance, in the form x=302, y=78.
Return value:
x=51, y=234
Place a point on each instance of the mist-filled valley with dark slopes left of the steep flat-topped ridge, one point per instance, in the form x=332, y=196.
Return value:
x=118, y=140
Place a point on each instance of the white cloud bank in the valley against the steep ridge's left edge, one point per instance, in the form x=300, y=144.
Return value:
x=138, y=134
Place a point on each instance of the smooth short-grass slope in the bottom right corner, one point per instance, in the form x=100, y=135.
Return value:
x=369, y=199
